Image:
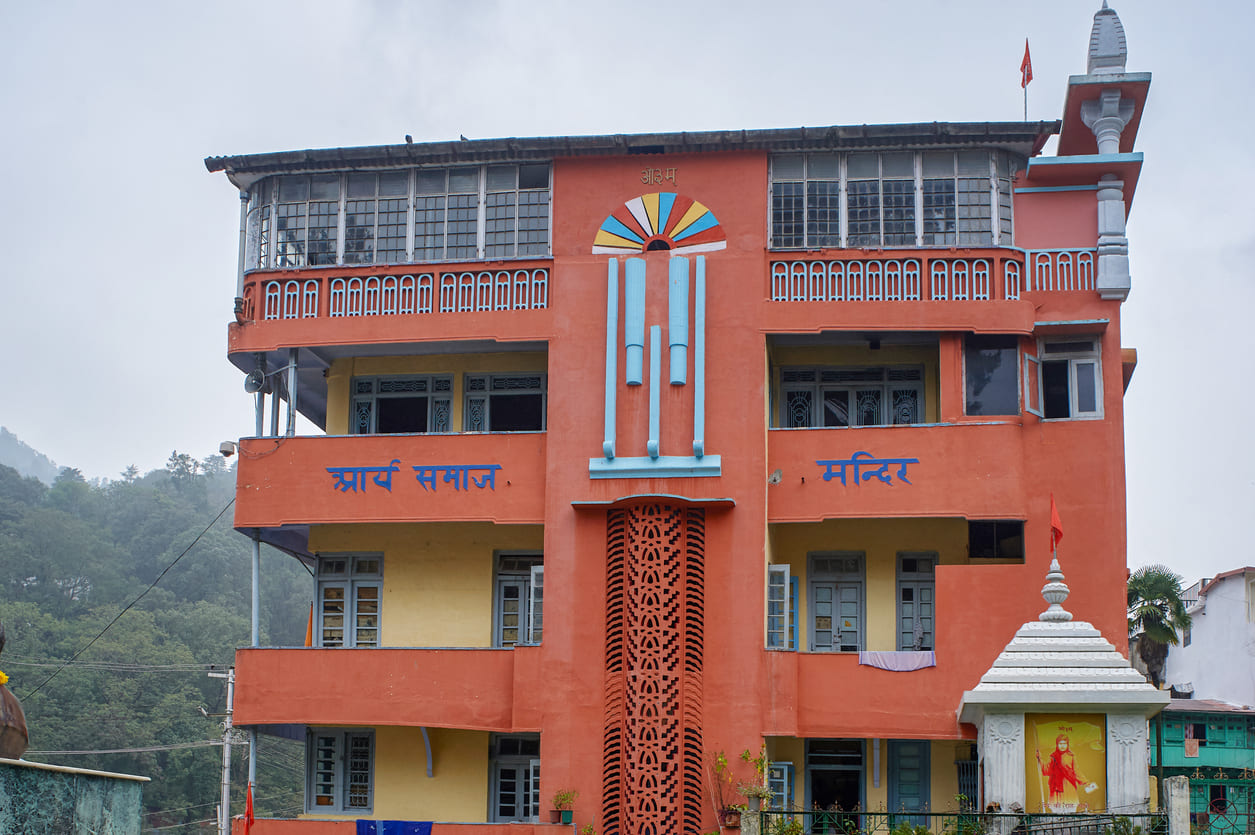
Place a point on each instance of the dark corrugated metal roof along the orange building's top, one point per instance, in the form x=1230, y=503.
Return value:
x=1025, y=139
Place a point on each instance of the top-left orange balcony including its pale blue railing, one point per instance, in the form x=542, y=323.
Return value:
x=368, y=306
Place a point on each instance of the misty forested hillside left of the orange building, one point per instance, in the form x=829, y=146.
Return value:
x=72, y=558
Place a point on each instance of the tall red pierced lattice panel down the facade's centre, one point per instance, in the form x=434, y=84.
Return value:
x=656, y=588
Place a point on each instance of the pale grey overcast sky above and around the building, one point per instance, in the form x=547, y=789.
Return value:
x=121, y=249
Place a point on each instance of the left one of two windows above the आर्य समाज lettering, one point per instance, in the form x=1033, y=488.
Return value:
x=401, y=405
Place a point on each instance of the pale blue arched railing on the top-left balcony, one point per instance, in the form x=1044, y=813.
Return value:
x=524, y=288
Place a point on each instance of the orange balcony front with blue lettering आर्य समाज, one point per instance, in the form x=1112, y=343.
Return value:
x=496, y=478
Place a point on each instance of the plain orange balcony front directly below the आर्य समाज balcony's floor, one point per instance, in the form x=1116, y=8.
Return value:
x=480, y=690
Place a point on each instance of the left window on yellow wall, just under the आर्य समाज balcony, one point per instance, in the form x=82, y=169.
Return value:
x=350, y=590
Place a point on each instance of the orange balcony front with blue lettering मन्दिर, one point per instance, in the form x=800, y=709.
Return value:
x=898, y=471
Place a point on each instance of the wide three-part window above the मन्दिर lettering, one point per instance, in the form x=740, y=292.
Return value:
x=844, y=397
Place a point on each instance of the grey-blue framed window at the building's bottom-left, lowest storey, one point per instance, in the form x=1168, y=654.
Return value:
x=339, y=772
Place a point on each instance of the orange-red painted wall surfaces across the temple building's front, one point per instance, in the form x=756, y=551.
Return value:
x=968, y=469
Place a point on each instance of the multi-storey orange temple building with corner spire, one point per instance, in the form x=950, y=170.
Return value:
x=643, y=450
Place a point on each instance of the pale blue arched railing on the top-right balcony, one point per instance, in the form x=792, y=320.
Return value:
x=941, y=278
